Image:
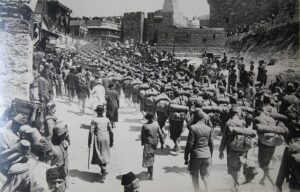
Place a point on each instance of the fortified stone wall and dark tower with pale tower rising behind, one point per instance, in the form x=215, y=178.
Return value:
x=169, y=28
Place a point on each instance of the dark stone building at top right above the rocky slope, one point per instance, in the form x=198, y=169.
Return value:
x=230, y=14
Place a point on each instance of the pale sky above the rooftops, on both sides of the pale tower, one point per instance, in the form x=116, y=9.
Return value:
x=91, y=8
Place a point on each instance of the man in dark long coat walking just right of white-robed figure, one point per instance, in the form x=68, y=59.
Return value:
x=113, y=104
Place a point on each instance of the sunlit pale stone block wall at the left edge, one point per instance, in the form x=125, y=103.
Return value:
x=16, y=51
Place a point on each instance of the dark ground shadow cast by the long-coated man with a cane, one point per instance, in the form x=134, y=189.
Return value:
x=86, y=176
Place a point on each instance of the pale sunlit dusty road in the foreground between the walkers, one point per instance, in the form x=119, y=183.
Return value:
x=170, y=173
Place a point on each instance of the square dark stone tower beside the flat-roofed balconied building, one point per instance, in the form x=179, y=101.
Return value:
x=133, y=27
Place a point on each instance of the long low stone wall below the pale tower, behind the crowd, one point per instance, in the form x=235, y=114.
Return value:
x=190, y=37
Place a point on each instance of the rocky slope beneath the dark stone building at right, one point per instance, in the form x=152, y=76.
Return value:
x=280, y=43
